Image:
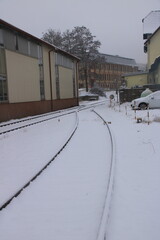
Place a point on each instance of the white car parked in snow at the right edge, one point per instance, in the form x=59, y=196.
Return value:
x=150, y=101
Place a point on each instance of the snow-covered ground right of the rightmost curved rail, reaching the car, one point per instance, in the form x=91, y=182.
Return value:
x=135, y=204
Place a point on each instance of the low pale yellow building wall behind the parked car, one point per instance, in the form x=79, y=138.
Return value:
x=137, y=80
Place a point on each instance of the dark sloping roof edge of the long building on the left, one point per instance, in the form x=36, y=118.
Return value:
x=28, y=35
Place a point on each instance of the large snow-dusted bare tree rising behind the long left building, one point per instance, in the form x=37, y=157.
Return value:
x=79, y=42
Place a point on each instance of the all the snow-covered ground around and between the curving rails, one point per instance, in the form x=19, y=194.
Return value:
x=66, y=201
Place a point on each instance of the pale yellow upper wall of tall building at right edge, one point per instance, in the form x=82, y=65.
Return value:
x=153, y=48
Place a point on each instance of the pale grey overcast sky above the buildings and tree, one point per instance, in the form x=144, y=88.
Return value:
x=117, y=24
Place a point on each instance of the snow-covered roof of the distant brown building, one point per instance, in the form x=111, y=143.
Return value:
x=119, y=60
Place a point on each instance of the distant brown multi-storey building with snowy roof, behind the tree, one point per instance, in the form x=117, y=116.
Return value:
x=107, y=74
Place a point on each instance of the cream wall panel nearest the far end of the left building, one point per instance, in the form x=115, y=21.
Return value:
x=66, y=82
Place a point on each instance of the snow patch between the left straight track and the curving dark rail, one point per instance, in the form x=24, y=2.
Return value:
x=24, y=152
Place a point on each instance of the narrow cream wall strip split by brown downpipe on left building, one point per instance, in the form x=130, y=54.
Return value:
x=47, y=73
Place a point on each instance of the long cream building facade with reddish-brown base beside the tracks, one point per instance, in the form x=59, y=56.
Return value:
x=35, y=77
